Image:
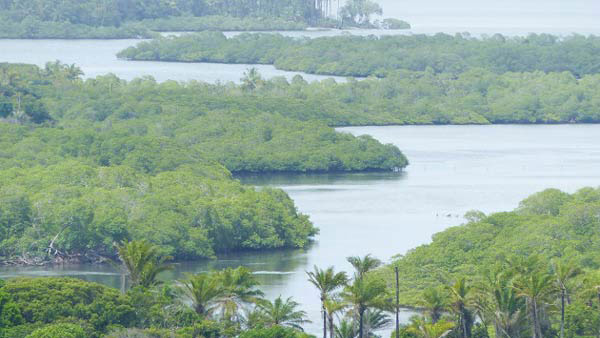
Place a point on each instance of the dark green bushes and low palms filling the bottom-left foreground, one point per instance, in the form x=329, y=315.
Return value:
x=70, y=308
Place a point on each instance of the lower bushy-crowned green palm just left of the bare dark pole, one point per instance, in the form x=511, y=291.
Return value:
x=364, y=293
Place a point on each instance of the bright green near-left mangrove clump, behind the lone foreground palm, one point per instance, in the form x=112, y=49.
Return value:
x=82, y=210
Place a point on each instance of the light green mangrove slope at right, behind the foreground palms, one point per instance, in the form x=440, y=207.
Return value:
x=550, y=224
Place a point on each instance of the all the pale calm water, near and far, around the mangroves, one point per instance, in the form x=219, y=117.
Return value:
x=453, y=168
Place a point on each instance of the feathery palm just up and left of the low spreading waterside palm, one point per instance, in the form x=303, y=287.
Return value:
x=240, y=287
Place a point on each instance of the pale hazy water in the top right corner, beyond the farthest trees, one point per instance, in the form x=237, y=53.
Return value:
x=508, y=16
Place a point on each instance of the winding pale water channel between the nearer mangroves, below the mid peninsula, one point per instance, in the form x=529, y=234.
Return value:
x=453, y=169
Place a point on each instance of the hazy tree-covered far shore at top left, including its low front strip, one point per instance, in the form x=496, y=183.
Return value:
x=97, y=19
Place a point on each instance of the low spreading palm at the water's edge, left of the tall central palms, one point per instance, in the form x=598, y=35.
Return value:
x=284, y=313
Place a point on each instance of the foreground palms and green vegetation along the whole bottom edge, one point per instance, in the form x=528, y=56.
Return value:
x=512, y=295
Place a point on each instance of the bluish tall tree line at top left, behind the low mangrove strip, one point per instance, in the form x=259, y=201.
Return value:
x=117, y=12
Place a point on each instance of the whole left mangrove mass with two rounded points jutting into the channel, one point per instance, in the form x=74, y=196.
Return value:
x=87, y=164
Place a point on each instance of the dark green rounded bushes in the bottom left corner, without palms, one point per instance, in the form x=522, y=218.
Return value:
x=52, y=300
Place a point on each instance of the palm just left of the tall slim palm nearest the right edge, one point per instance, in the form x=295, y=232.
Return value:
x=535, y=288
